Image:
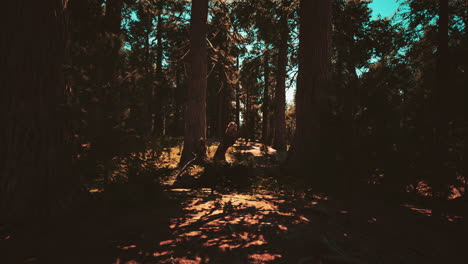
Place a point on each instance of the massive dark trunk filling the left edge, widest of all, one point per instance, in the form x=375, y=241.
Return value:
x=36, y=176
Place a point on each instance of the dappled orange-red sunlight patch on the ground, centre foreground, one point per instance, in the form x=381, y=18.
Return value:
x=218, y=227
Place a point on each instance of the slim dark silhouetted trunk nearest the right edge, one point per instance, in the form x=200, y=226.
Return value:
x=440, y=106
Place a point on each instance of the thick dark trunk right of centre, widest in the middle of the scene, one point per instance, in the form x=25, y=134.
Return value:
x=313, y=76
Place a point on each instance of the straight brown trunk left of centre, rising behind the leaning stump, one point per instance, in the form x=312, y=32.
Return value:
x=195, y=115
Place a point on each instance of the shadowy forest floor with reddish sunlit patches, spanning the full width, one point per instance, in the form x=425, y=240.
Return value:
x=263, y=224
